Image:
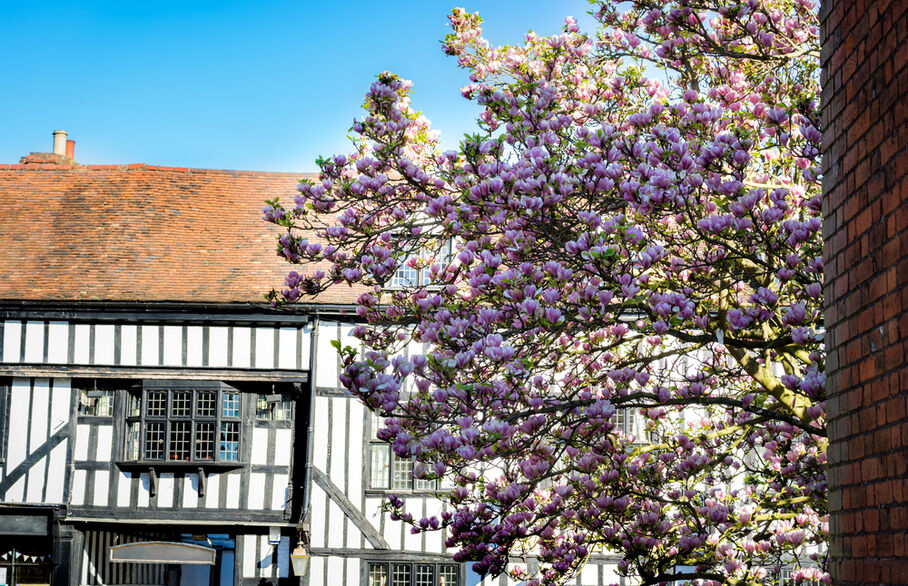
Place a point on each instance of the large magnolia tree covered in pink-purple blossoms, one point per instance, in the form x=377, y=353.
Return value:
x=633, y=235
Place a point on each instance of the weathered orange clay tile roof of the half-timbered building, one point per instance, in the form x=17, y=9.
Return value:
x=140, y=233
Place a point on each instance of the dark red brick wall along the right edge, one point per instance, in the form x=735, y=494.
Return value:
x=865, y=101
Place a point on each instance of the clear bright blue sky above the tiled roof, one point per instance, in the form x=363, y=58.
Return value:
x=265, y=85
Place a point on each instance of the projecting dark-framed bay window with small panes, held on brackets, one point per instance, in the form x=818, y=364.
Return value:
x=174, y=425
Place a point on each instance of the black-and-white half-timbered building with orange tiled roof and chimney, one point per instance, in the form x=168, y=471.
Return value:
x=159, y=423
